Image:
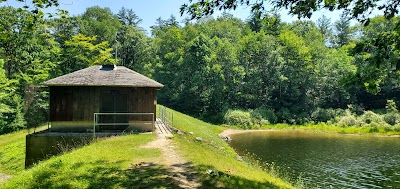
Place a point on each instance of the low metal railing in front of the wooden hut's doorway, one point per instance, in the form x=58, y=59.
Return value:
x=97, y=122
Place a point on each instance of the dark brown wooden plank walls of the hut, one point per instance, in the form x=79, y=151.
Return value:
x=72, y=107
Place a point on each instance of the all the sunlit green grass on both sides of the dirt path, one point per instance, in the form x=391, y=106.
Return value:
x=107, y=163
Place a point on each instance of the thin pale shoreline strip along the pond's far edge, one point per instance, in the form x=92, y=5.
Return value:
x=228, y=132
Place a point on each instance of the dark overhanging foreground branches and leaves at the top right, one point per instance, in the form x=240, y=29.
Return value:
x=373, y=74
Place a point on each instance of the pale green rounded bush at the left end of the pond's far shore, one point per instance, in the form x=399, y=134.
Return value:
x=239, y=118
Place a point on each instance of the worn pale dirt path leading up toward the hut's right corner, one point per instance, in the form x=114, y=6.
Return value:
x=180, y=168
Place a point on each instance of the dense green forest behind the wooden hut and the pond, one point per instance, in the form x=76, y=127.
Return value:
x=208, y=66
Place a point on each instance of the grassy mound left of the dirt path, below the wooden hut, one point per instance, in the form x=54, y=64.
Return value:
x=107, y=163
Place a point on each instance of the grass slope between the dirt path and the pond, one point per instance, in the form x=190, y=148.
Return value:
x=212, y=153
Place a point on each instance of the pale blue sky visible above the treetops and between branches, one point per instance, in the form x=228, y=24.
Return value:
x=150, y=10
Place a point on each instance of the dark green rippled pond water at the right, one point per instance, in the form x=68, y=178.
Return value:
x=326, y=160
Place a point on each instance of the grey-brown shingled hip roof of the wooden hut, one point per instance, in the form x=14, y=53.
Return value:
x=116, y=76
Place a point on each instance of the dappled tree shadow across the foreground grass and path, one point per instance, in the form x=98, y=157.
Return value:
x=104, y=174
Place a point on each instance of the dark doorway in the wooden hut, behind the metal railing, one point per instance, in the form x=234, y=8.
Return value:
x=114, y=102
